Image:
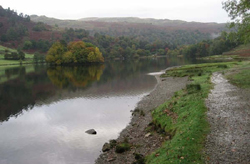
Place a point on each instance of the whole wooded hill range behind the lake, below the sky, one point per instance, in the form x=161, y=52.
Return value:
x=116, y=37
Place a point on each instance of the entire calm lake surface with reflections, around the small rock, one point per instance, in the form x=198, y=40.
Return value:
x=45, y=111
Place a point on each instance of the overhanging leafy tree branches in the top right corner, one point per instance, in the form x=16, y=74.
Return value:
x=239, y=11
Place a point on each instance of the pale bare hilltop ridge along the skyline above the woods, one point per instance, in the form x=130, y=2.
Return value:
x=119, y=26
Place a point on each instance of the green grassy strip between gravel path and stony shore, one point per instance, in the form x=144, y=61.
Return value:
x=183, y=118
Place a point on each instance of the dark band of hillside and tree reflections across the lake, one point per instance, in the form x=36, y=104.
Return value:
x=24, y=87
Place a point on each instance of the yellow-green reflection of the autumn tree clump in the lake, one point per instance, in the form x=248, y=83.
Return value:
x=79, y=76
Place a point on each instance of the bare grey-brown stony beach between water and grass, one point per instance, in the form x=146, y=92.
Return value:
x=141, y=141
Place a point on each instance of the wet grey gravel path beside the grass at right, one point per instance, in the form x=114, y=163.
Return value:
x=229, y=117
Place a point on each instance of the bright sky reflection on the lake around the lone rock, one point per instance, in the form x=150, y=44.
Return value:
x=56, y=133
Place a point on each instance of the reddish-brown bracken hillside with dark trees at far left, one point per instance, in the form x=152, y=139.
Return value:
x=17, y=29
